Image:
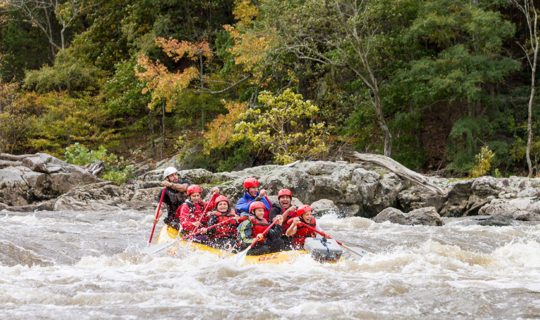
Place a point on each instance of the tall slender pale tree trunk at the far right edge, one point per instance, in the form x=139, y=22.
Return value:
x=531, y=49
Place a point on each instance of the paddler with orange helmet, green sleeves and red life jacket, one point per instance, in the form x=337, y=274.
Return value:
x=254, y=227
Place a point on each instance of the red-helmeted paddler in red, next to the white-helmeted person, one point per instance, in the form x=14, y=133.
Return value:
x=191, y=214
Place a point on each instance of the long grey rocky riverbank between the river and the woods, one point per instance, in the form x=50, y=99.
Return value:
x=42, y=182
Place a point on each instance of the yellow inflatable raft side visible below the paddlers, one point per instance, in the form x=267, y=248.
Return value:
x=168, y=234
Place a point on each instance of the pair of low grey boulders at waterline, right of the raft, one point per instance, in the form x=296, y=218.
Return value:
x=423, y=216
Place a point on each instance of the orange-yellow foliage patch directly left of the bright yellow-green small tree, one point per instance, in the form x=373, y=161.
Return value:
x=221, y=129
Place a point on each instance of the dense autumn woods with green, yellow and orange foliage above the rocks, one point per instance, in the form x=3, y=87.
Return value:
x=439, y=85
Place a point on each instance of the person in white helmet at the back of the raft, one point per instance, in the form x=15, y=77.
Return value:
x=175, y=195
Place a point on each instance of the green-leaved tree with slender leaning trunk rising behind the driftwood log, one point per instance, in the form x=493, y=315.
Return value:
x=341, y=34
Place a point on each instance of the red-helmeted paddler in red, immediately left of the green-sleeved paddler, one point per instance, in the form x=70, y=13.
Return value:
x=224, y=235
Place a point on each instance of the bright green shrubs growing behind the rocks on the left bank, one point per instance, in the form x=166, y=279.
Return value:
x=117, y=169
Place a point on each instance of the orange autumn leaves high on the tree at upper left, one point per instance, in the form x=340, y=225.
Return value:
x=164, y=85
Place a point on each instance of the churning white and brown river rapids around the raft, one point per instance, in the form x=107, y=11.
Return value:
x=89, y=265
